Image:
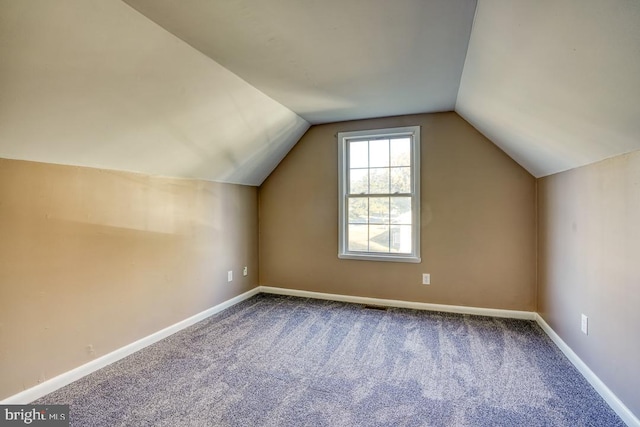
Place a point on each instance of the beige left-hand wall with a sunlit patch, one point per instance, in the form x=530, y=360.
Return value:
x=92, y=260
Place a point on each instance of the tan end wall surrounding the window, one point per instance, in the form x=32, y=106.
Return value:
x=478, y=221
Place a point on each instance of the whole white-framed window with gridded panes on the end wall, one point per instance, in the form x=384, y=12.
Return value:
x=379, y=180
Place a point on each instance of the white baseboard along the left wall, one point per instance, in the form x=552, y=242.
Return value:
x=75, y=374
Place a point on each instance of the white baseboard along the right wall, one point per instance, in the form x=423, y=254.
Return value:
x=620, y=408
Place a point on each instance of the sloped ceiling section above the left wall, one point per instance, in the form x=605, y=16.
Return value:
x=97, y=84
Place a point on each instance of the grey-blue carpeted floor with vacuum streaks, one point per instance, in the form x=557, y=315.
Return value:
x=284, y=361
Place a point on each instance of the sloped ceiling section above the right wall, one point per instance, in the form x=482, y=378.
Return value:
x=555, y=84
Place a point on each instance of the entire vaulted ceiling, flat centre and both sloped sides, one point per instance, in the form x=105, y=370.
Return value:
x=221, y=90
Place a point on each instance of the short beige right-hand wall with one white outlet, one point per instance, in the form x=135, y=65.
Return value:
x=589, y=257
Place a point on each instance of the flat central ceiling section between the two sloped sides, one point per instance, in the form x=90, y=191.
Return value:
x=332, y=60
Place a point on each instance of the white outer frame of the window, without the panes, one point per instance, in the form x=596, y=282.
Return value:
x=343, y=187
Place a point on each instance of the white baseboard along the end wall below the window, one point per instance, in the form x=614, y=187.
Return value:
x=511, y=314
